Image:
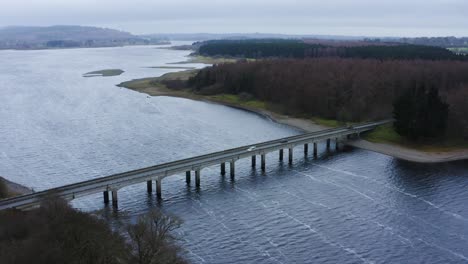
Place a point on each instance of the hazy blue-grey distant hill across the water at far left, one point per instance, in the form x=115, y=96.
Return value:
x=19, y=37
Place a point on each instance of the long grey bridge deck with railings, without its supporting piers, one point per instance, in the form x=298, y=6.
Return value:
x=160, y=171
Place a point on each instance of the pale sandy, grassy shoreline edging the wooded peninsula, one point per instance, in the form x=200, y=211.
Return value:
x=307, y=125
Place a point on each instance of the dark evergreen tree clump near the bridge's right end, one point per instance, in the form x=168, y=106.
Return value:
x=420, y=113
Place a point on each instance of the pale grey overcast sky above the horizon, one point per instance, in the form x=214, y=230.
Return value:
x=325, y=17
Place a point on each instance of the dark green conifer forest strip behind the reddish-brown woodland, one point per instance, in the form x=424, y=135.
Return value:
x=299, y=49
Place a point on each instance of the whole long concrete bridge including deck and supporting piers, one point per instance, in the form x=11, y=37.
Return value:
x=111, y=184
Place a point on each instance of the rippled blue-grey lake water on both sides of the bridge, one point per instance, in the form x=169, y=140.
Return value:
x=350, y=206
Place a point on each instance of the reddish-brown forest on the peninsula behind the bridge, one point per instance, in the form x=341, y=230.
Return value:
x=343, y=89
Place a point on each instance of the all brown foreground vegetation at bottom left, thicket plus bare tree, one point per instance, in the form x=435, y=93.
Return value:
x=56, y=233
